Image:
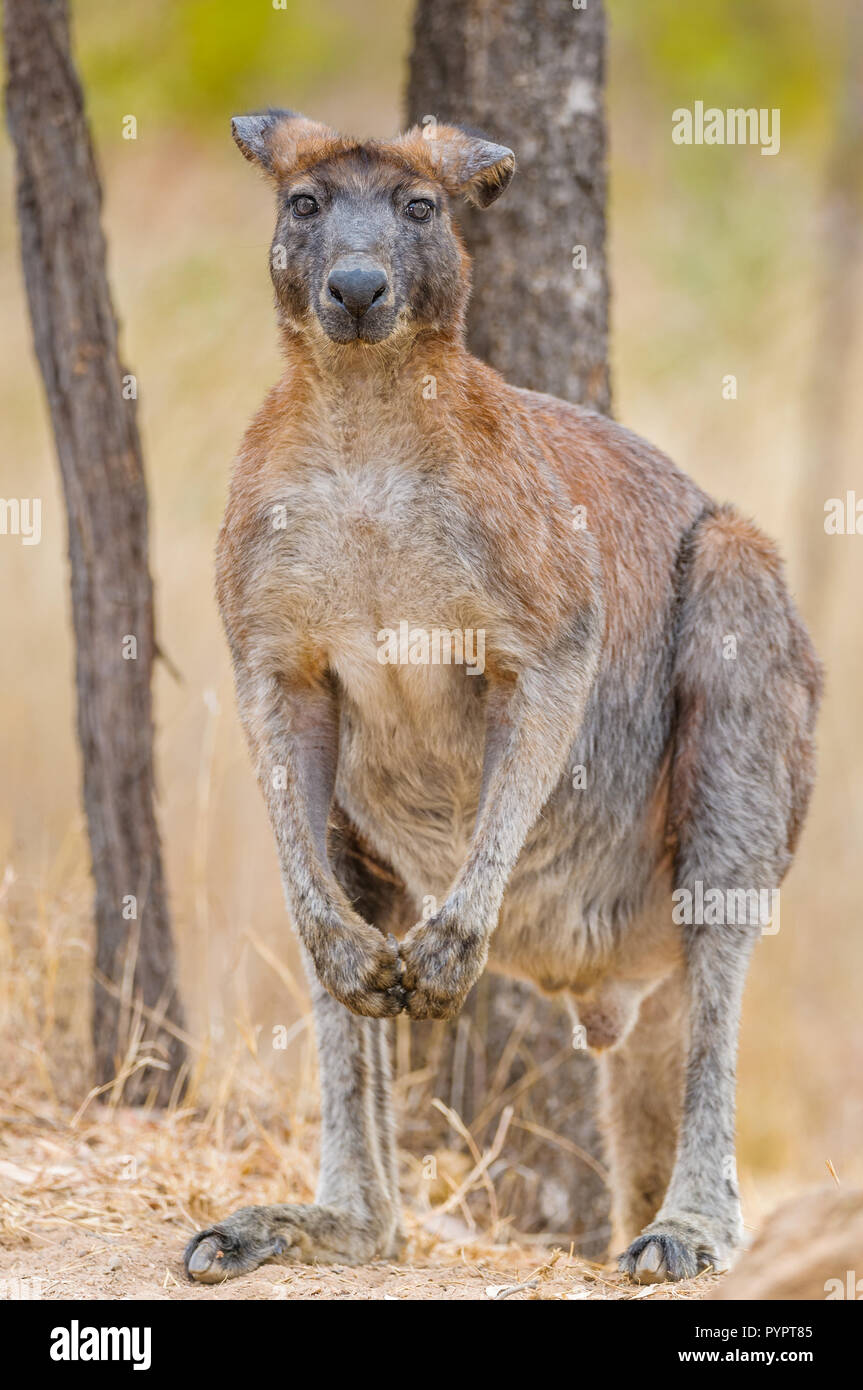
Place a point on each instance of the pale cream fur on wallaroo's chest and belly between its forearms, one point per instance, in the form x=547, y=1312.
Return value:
x=369, y=566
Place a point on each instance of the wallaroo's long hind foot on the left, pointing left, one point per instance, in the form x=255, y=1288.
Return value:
x=287, y=1236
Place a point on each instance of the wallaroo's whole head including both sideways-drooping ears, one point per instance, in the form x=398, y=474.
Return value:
x=365, y=247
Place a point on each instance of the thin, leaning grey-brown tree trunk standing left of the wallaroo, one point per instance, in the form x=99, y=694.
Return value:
x=137, y=1010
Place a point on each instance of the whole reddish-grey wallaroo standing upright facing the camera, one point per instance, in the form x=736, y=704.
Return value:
x=608, y=586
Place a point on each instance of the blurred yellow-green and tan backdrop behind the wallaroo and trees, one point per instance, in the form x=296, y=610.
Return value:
x=723, y=263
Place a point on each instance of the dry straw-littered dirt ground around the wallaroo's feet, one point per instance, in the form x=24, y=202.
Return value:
x=99, y=1207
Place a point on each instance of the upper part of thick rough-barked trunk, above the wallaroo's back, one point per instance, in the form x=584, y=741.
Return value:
x=530, y=74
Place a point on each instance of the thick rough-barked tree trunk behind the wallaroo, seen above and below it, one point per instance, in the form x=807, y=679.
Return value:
x=530, y=74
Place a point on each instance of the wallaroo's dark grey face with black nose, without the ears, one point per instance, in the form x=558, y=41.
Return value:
x=365, y=247
